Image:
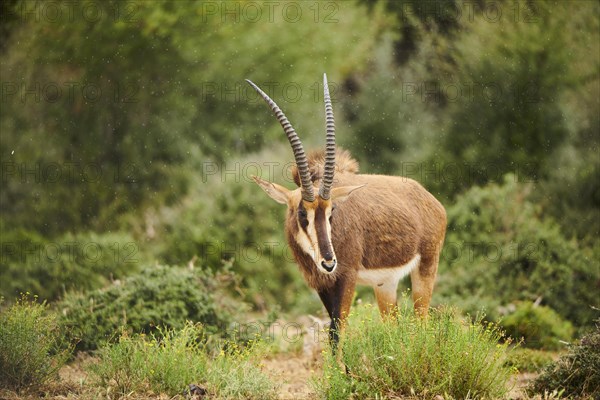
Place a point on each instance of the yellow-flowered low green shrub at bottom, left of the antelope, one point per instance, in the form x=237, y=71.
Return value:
x=141, y=364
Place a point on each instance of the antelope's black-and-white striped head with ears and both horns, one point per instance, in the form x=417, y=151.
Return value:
x=311, y=213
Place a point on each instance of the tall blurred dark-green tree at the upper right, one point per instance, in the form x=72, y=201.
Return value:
x=514, y=118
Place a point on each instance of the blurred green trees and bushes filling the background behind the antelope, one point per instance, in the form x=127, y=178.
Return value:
x=128, y=138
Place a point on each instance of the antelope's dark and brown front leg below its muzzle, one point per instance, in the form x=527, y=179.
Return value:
x=337, y=299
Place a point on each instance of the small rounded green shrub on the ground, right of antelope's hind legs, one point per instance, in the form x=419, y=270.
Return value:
x=540, y=326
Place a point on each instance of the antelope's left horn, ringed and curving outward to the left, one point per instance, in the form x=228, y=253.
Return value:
x=301, y=163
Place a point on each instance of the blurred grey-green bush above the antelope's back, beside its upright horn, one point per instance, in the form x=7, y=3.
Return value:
x=393, y=117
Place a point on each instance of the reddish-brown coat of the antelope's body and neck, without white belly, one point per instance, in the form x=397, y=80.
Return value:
x=383, y=225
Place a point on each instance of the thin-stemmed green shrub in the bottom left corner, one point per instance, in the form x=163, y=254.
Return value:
x=31, y=346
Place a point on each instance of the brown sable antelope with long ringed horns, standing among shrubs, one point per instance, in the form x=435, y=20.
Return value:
x=359, y=229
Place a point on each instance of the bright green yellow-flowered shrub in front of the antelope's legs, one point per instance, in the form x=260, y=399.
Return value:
x=408, y=356
